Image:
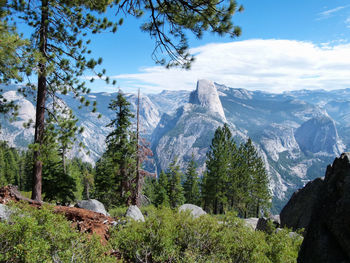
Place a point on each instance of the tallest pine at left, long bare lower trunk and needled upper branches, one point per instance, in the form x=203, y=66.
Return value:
x=59, y=49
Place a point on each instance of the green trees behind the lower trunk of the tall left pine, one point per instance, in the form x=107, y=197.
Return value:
x=16, y=168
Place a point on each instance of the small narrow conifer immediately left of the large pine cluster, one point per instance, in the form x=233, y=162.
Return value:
x=191, y=185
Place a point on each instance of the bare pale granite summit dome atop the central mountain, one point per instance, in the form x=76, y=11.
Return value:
x=207, y=96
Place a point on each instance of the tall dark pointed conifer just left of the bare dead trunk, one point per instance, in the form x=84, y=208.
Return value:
x=116, y=171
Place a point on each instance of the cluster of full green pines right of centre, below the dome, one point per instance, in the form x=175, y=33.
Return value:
x=236, y=177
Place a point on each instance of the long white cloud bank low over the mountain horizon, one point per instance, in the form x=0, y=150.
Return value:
x=270, y=65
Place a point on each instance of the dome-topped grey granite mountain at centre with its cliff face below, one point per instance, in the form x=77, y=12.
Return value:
x=191, y=129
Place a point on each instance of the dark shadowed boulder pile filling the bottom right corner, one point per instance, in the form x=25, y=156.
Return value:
x=325, y=216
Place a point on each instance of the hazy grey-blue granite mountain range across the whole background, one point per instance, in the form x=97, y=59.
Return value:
x=297, y=133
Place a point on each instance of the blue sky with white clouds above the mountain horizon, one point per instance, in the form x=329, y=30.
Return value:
x=285, y=45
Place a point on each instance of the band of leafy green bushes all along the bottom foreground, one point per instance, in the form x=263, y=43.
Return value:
x=39, y=235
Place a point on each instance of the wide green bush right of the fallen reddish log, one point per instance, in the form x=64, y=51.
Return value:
x=169, y=236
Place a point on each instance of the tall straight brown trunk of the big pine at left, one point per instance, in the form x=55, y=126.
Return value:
x=40, y=105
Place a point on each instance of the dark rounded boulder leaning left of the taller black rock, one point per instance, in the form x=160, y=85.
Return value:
x=297, y=212
